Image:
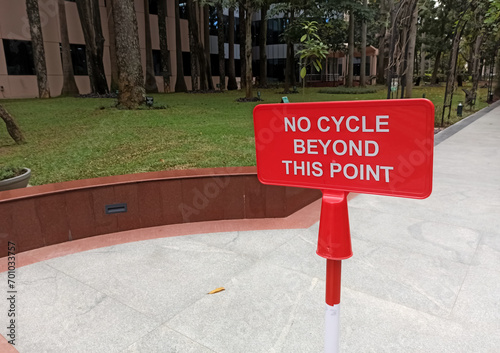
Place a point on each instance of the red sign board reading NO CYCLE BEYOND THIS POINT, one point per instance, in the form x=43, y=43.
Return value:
x=382, y=147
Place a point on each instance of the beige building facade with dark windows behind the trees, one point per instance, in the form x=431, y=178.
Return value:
x=17, y=73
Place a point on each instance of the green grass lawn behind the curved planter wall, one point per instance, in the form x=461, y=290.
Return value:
x=76, y=138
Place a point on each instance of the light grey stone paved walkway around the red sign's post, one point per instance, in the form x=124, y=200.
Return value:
x=425, y=277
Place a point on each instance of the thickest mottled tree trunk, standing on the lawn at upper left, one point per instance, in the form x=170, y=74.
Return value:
x=130, y=75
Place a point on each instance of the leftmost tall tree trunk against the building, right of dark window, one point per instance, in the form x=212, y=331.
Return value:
x=38, y=48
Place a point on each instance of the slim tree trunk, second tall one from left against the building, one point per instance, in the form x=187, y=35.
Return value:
x=69, y=84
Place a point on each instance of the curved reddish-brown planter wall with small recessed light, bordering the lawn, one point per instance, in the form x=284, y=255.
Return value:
x=54, y=213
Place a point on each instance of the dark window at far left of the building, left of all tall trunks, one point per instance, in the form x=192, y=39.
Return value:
x=19, y=57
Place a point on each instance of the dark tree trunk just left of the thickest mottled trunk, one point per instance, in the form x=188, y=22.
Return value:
x=90, y=19
